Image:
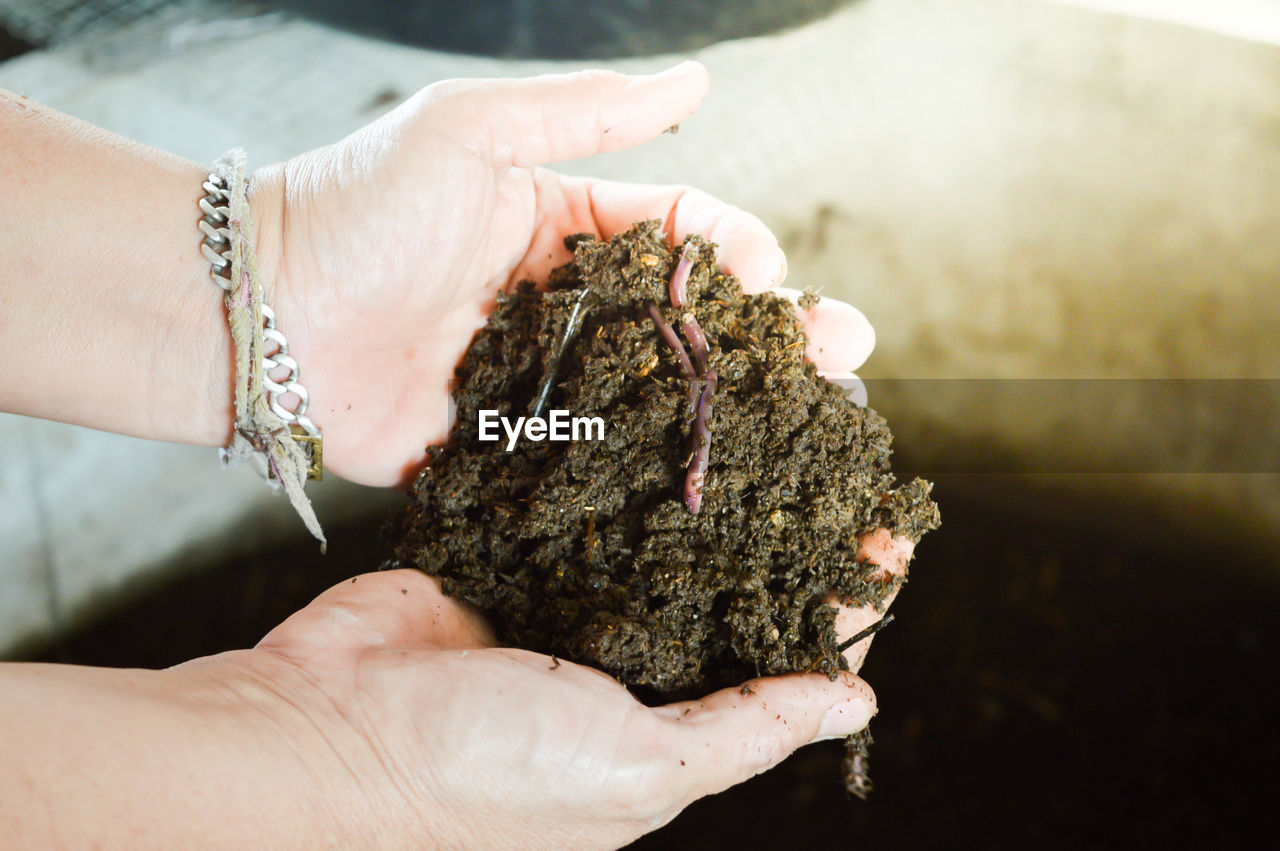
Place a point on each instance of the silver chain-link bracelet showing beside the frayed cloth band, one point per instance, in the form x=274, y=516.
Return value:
x=217, y=249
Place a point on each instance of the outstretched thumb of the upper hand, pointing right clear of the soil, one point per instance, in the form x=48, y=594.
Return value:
x=565, y=117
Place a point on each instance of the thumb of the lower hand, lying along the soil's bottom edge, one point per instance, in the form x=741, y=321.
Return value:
x=739, y=733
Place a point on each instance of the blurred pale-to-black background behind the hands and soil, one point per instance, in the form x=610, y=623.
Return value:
x=1063, y=221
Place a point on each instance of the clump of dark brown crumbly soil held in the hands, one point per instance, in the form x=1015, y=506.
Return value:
x=589, y=550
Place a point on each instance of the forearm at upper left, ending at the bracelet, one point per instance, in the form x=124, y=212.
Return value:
x=108, y=317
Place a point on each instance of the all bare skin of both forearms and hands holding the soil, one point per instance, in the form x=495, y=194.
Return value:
x=382, y=715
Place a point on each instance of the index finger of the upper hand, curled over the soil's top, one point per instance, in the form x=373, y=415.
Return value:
x=748, y=249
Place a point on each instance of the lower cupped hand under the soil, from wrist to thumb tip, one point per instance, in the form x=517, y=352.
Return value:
x=395, y=699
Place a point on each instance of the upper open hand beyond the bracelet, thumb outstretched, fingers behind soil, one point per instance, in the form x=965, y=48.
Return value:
x=388, y=248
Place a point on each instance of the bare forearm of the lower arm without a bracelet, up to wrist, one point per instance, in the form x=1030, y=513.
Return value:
x=154, y=760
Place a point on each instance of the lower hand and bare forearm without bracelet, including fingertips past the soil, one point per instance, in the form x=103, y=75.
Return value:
x=382, y=716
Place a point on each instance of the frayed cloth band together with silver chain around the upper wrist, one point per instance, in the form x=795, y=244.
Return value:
x=287, y=441
